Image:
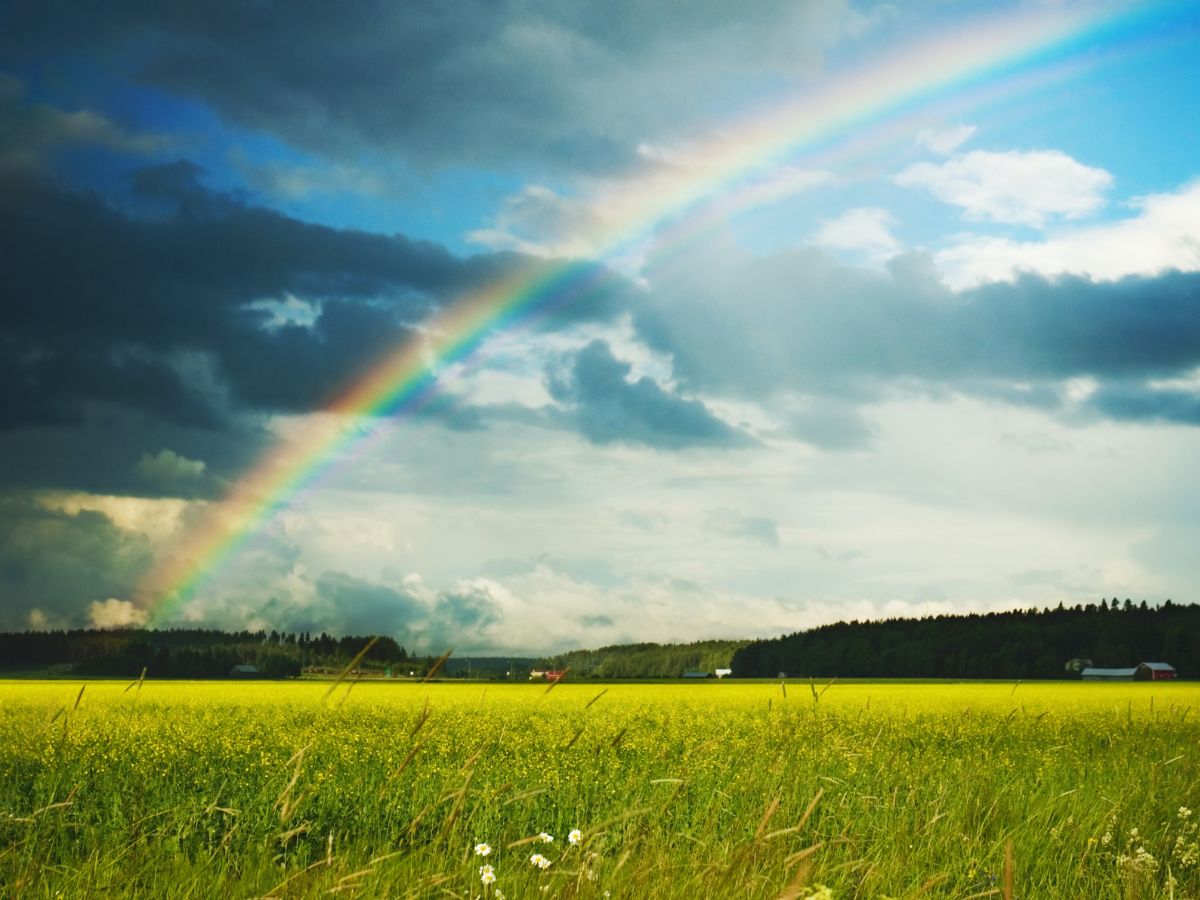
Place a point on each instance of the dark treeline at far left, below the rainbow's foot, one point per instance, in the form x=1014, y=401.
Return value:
x=191, y=653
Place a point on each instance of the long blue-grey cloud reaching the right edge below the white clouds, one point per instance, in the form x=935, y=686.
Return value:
x=802, y=323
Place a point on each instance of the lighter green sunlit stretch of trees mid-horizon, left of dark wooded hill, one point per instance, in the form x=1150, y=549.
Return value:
x=647, y=661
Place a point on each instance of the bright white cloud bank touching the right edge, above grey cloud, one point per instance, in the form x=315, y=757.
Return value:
x=1163, y=236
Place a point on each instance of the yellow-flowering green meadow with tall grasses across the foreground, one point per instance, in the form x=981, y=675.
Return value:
x=709, y=790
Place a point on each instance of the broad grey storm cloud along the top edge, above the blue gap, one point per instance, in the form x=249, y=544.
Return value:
x=476, y=82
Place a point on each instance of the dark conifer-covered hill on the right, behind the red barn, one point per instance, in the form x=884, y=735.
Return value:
x=1004, y=645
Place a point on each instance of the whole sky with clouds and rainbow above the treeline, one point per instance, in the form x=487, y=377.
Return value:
x=523, y=327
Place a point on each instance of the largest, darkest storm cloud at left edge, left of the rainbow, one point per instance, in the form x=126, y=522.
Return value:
x=160, y=310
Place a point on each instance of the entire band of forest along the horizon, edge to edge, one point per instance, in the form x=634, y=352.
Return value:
x=1023, y=644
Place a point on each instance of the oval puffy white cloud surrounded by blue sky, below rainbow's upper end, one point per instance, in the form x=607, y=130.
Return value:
x=1027, y=189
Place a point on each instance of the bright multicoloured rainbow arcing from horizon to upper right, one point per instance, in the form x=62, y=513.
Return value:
x=652, y=217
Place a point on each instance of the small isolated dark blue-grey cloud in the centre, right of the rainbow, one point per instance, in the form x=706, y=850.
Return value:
x=608, y=409
